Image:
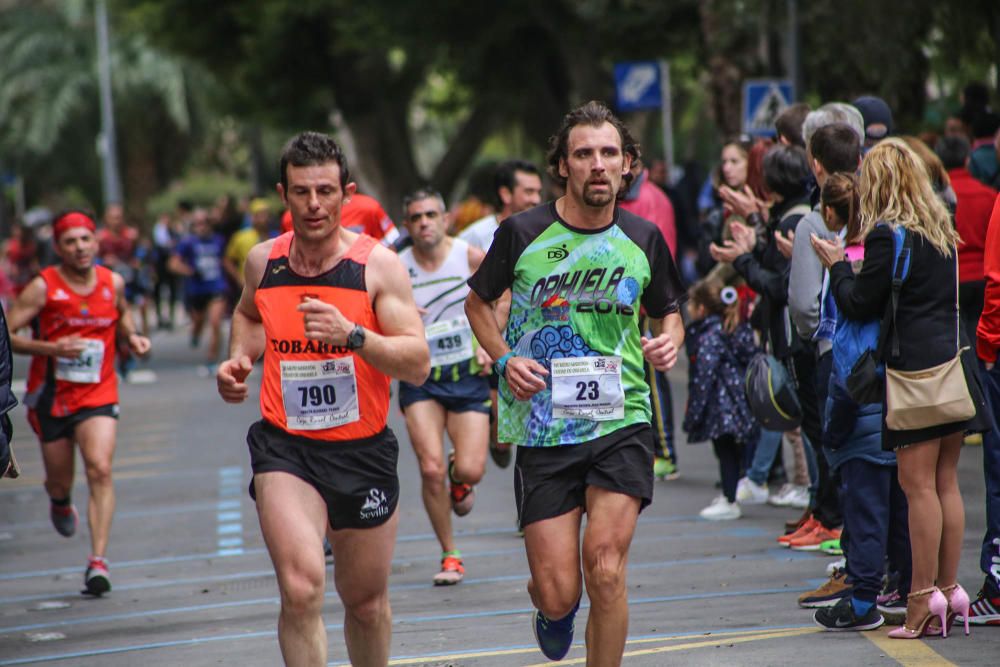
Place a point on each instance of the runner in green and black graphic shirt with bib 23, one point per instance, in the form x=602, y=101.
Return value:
x=573, y=395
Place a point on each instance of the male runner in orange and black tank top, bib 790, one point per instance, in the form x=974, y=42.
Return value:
x=332, y=312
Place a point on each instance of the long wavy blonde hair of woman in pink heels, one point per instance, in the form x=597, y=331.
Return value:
x=896, y=188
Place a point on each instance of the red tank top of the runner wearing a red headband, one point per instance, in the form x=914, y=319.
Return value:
x=60, y=386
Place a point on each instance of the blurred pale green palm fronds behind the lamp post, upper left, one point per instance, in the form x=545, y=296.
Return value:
x=49, y=106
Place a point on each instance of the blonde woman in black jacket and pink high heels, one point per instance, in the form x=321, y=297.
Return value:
x=924, y=328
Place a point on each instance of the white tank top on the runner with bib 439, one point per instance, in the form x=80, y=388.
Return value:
x=441, y=293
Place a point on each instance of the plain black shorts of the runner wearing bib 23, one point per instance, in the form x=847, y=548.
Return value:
x=550, y=481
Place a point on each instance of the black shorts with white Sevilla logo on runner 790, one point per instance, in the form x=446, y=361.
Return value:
x=356, y=479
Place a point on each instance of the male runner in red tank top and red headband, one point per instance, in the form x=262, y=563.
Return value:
x=77, y=309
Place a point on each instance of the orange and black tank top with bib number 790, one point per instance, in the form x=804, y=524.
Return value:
x=309, y=388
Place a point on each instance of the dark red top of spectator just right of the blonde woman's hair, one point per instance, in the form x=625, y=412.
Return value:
x=975, y=202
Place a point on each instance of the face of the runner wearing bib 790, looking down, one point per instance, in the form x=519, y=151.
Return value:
x=315, y=198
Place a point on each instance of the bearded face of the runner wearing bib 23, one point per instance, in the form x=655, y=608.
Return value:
x=594, y=164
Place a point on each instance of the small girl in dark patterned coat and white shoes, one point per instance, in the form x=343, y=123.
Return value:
x=719, y=346
